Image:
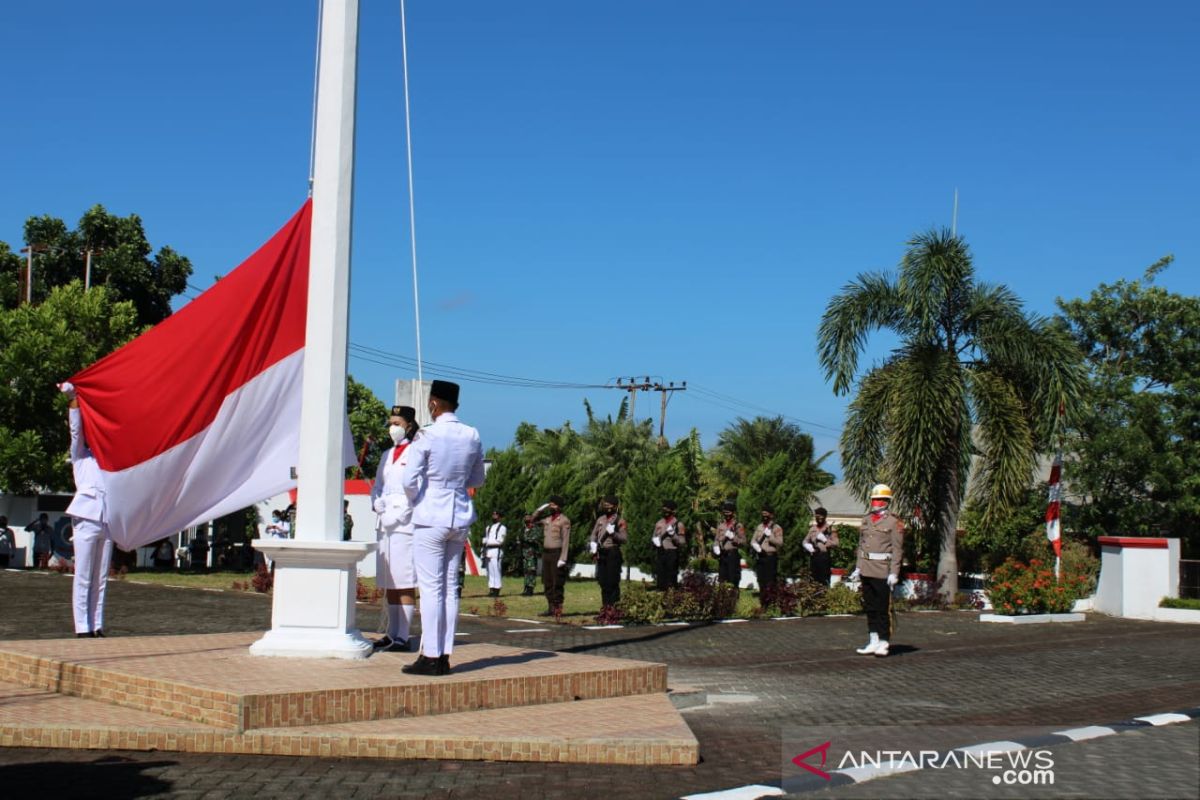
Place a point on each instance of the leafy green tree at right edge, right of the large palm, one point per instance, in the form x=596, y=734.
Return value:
x=1136, y=465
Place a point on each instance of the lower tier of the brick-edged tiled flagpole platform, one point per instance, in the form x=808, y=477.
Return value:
x=635, y=730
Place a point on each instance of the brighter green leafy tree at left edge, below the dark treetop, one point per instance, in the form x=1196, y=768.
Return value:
x=40, y=346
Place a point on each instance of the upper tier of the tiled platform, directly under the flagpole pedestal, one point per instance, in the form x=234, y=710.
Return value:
x=213, y=681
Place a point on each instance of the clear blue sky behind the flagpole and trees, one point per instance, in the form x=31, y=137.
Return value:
x=673, y=189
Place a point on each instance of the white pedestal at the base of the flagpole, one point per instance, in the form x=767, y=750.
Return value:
x=313, y=610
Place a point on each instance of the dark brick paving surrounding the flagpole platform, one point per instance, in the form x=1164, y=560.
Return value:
x=748, y=684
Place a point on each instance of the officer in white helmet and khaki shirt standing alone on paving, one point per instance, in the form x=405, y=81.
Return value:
x=880, y=554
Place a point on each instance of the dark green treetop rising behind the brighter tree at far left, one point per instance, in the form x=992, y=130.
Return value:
x=123, y=261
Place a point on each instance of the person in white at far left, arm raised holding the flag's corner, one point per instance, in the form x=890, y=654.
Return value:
x=89, y=520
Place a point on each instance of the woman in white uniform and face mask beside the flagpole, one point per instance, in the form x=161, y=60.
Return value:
x=395, y=572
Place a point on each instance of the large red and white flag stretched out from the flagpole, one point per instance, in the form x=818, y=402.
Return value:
x=200, y=417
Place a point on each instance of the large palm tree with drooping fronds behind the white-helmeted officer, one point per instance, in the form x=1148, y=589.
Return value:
x=973, y=375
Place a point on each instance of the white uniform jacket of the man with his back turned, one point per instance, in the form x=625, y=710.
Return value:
x=451, y=458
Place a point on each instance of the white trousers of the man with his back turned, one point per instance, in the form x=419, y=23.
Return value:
x=437, y=554
